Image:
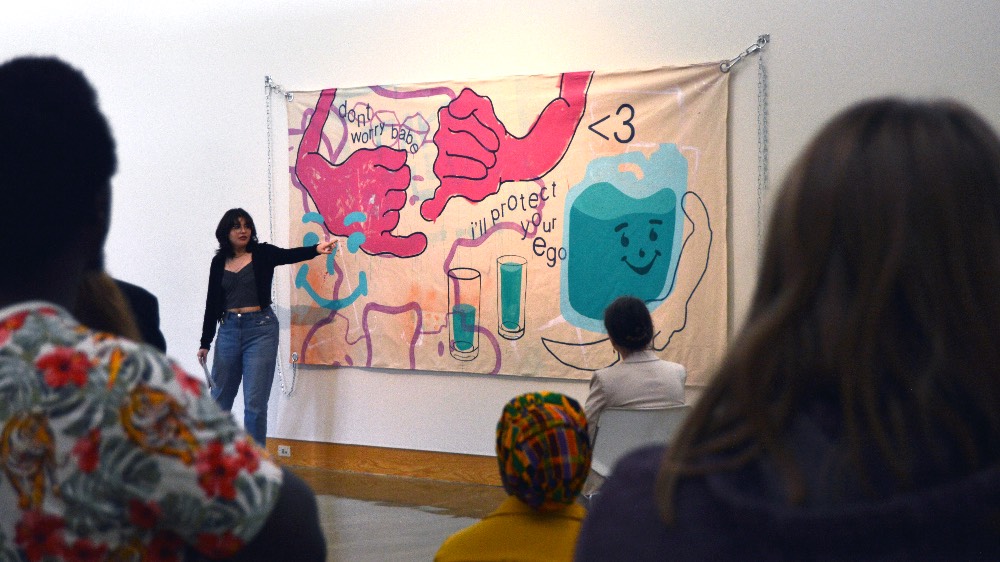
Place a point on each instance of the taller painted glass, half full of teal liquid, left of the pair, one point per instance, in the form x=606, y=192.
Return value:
x=464, y=287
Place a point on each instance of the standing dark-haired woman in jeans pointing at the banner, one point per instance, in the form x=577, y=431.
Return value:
x=239, y=299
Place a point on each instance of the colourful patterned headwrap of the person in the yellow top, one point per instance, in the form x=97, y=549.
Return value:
x=543, y=449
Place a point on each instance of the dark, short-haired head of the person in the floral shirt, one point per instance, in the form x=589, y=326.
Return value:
x=57, y=156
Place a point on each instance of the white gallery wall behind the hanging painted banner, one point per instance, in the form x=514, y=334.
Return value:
x=183, y=85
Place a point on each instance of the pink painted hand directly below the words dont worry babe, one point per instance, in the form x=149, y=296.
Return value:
x=372, y=181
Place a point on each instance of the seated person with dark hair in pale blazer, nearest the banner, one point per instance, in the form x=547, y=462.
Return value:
x=641, y=380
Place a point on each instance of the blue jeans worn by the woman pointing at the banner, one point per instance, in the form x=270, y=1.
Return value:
x=246, y=350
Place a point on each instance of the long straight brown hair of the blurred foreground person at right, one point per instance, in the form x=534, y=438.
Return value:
x=879, y=291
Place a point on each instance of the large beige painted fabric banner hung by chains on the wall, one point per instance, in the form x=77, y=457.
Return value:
x=484, y=226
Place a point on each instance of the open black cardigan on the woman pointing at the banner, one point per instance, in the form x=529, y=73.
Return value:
x=265, y=258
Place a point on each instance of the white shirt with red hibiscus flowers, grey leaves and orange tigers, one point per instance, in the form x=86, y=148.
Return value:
x=110, y=451
